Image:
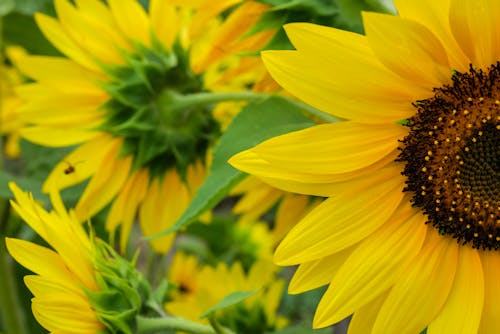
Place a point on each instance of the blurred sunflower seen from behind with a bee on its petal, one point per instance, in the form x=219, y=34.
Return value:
x=118, y=97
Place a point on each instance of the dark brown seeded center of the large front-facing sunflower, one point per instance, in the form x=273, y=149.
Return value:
x=452, y=157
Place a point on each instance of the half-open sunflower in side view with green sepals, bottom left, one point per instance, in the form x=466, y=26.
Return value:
x=81, y=284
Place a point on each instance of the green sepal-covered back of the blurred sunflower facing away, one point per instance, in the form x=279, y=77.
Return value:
x=158, y=136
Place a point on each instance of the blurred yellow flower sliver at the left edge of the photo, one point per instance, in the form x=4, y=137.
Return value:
x=10, y=122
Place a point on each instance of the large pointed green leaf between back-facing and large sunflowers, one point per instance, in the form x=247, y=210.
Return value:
x=258, y=121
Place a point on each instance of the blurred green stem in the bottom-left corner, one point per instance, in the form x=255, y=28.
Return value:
x=13, y=318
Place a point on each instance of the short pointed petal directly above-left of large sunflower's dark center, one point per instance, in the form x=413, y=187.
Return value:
x=407, y=48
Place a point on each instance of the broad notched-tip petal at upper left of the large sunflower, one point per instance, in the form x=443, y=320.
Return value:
x=337, y=72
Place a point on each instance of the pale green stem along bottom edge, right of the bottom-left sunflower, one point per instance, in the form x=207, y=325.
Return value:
x=150, y=325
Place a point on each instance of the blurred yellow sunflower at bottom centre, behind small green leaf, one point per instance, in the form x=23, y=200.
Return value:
x=201, y=287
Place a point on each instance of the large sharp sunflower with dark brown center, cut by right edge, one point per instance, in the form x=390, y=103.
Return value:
x=409, y=235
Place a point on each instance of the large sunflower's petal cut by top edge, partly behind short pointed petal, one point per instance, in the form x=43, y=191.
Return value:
x=435, y=16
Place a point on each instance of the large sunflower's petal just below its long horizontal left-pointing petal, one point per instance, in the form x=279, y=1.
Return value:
x=359, y=208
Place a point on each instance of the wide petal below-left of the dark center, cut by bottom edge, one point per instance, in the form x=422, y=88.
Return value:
x=418, y=297
